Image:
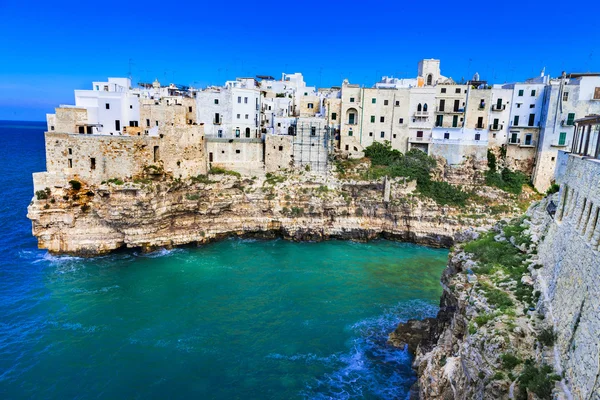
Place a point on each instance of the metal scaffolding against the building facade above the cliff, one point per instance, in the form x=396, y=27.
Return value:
x=312, y=145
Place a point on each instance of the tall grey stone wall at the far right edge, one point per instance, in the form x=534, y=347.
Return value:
x=570, y=277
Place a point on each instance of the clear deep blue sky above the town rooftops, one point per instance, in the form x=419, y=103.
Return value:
x=50, y=48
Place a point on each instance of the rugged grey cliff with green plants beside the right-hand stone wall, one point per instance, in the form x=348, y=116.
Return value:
x=490, y=339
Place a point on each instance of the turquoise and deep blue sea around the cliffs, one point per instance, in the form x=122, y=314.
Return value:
x=238, y=319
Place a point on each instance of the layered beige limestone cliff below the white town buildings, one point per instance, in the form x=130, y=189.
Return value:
x=167, y=212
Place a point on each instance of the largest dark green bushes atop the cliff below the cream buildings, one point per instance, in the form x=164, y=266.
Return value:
x=414, y=165
